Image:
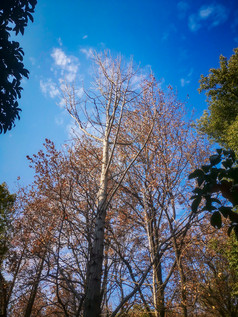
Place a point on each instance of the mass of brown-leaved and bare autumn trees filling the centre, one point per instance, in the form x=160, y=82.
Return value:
x=106, y=228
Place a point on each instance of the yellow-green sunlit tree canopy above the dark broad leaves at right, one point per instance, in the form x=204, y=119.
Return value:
x=220, y=121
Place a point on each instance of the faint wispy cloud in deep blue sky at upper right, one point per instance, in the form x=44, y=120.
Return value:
x=210, y=16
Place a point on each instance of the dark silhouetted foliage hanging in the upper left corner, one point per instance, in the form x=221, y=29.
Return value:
x=14, y=15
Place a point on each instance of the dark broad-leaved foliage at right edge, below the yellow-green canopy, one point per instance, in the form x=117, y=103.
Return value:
x=218, y=177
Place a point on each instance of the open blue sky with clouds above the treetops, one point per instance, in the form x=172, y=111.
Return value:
x=179, y=40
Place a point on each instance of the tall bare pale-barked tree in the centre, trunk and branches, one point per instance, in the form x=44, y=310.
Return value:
x=118, y=91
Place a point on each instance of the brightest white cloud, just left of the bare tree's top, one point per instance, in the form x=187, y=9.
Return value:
x=67, y=64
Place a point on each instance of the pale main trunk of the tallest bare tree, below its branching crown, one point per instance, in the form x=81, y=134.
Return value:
x=93, y=298
